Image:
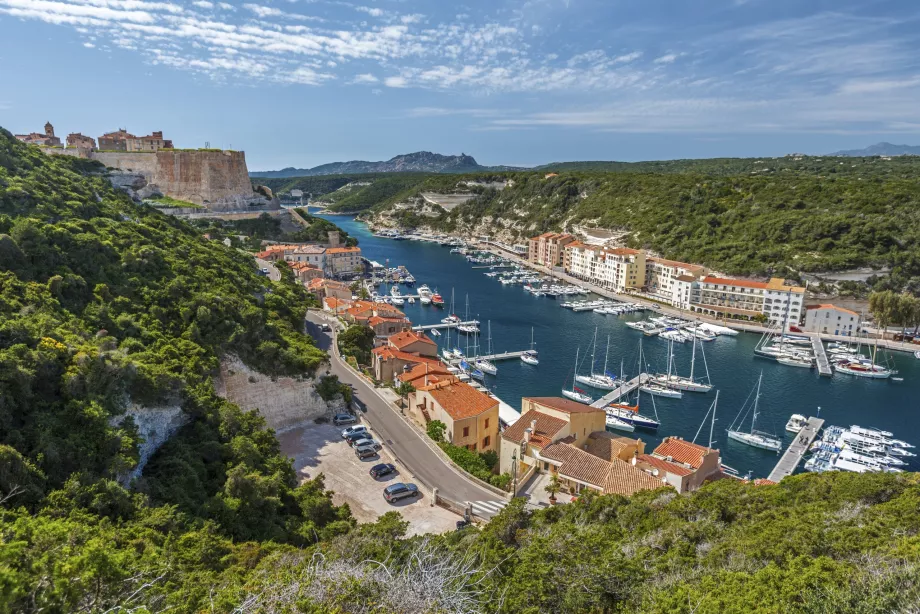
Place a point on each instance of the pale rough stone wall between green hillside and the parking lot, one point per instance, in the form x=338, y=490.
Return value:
x=284, y=402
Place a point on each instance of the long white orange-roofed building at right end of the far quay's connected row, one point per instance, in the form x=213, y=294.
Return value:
x=742, y=299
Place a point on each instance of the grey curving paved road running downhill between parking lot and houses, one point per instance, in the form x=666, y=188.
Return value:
x=402, y=441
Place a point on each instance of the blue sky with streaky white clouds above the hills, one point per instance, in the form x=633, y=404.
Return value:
x=304, y=82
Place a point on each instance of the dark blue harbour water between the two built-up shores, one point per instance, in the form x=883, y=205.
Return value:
x=843, y=400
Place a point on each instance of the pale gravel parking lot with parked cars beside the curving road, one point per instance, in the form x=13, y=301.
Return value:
x=319, y=448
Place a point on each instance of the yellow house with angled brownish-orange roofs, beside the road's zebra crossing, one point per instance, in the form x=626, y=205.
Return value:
x=543, y=421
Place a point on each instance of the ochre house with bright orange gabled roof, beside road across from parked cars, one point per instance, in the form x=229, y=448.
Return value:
x=471, y=417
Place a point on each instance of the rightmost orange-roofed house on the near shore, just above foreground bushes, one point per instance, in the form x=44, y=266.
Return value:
x=685, y=466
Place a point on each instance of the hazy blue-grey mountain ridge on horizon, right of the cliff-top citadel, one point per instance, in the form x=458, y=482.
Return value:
x=418, y=162
